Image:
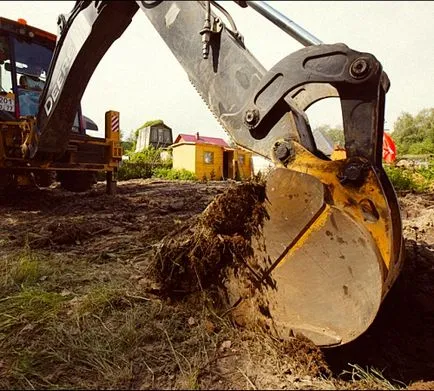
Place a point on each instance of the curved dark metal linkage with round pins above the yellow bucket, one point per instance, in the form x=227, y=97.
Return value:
x=358, y=78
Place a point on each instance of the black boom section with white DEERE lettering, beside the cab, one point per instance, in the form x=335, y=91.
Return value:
x=86, y=34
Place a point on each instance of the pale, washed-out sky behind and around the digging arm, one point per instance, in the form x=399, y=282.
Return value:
x=140, y=77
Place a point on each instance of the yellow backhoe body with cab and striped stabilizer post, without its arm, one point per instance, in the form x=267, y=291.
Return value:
x=26, y=55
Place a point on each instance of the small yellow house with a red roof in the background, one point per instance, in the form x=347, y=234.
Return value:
x=210, y=157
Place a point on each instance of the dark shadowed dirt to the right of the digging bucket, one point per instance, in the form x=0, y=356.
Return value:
x=400, y=342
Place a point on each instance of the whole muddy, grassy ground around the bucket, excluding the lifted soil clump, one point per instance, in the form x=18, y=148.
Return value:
x=80, y=309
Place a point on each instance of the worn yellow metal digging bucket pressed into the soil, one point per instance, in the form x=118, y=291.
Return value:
x=328, y=252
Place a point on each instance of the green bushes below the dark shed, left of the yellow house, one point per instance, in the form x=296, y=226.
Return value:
x=142, y=164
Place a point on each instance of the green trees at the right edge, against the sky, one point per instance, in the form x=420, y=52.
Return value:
x=415, y=134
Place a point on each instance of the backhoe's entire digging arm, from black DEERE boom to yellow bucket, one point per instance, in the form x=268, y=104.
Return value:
x=332, y=242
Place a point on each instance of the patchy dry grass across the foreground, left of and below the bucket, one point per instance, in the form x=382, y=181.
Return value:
x=64, y=326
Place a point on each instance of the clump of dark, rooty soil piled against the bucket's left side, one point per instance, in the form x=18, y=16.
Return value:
x=199, y=254
